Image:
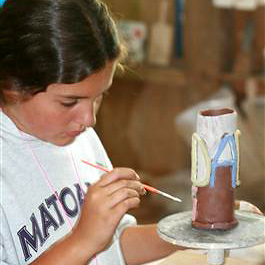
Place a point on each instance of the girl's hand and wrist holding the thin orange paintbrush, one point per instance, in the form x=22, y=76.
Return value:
x=105, y=204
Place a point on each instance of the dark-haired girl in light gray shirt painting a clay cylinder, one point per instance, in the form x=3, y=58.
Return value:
x=57, y=59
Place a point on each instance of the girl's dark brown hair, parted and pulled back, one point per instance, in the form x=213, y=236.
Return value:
x=53, y=41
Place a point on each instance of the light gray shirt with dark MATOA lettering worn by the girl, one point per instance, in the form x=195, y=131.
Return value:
x=32, y=216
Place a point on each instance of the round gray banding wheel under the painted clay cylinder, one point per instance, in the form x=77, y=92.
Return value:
x=176, y=229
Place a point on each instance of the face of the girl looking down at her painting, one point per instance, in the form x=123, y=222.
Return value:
x=63, y=111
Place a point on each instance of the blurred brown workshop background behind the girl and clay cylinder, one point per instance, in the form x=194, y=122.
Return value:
x=184, y=56
